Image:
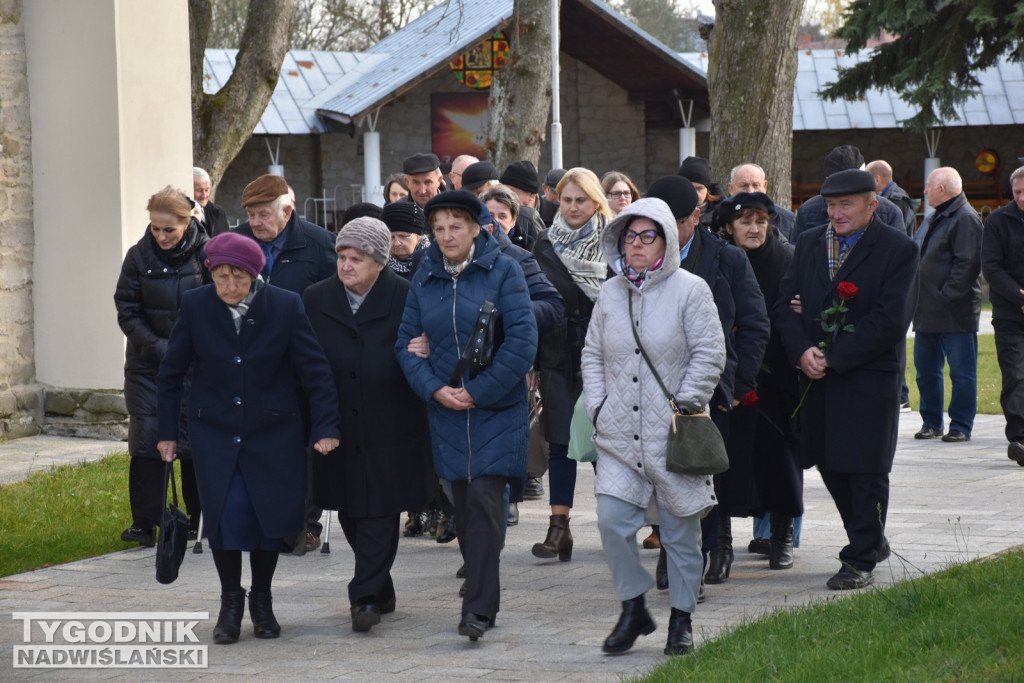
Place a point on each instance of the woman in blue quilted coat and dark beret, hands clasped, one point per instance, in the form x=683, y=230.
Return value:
x=479, y=428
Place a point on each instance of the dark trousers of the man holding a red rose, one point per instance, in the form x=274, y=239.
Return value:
x=863, y=501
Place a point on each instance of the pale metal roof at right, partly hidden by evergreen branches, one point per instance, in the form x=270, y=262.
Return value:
x=1001, y=102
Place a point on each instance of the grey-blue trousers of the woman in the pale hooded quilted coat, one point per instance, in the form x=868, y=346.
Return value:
x=619, y=523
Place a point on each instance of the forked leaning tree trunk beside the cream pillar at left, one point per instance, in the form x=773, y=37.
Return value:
x=223, y=122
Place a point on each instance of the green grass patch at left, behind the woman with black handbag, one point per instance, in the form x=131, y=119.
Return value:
x=68, y=514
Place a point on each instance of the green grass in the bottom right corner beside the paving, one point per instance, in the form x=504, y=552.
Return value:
x=963, y=624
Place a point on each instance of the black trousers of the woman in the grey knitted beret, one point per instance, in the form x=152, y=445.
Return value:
x=375, y=543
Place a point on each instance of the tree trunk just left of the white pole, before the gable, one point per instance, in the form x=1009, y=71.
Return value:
x=521, y=94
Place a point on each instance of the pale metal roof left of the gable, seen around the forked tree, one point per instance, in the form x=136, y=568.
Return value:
x=304, y=75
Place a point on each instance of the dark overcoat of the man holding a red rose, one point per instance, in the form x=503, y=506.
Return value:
x=849, y=420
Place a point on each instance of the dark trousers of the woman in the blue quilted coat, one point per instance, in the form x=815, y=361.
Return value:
x=480, y=519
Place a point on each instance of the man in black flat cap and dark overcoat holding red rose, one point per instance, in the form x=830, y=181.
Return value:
x=852, y=376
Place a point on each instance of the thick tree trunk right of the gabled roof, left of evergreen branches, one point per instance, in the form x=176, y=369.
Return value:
x=752, y=67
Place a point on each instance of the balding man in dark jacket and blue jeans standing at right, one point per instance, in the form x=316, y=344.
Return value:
x=947, y=321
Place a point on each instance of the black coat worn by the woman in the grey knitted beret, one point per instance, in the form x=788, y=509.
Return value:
x=385, y=464
